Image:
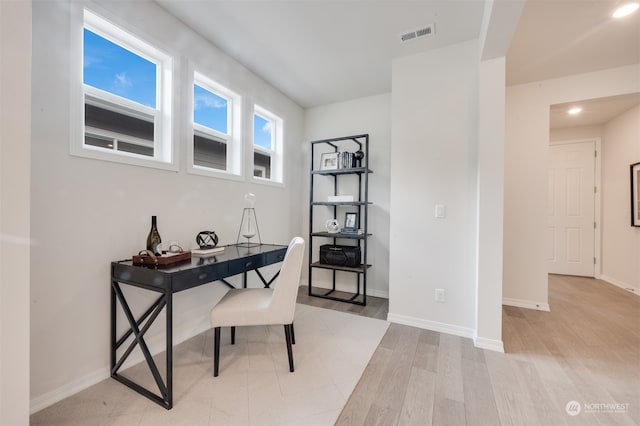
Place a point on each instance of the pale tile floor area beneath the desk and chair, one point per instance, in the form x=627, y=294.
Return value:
x=254, y=386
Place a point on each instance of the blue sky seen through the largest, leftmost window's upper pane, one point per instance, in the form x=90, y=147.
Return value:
x=114, y=69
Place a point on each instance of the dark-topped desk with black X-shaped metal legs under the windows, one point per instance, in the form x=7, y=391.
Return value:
x=166, y=281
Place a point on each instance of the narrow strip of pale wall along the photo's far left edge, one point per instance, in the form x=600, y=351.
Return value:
x=15, y=129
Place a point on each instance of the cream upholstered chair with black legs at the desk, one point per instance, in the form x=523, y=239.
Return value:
x=262, y=306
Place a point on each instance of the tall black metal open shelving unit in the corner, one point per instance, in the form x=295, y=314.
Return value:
x=361, y=204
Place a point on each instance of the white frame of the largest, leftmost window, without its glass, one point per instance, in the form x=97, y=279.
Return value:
x=164, y=151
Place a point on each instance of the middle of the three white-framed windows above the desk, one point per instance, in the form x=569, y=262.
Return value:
x=216, y=128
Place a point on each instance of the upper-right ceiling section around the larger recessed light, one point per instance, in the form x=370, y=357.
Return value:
x=556, y=38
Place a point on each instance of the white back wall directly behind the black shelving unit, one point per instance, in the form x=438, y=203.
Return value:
x=370, y=115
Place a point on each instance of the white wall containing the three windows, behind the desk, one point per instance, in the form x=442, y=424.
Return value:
x=86, y=213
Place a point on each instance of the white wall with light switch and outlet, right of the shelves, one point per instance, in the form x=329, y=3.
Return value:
x=433, y=161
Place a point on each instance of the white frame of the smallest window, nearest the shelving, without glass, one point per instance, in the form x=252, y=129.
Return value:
x=276, y=153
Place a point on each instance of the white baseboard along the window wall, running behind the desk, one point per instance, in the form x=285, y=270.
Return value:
x=156, y=345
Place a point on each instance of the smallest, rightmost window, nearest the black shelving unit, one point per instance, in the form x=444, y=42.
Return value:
x=267, y=145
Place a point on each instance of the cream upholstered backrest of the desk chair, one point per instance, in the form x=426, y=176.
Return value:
x=285, y=293
